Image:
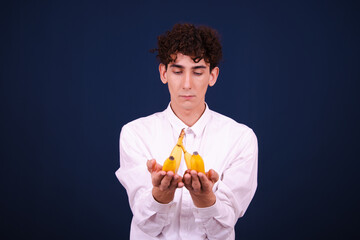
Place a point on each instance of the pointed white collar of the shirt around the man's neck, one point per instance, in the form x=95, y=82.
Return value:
x=197, y=128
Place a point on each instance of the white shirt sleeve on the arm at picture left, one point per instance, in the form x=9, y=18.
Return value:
x=149, y=216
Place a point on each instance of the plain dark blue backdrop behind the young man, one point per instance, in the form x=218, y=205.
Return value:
x=74, y=72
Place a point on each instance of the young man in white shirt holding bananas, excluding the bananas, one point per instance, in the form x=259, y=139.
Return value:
x=188, y=205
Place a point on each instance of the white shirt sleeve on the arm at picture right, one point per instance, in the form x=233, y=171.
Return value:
x=234, y=191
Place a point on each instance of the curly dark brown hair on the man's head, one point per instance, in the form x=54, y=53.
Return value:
x=200, y=42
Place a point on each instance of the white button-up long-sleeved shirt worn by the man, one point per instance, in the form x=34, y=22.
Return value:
x=226, y=146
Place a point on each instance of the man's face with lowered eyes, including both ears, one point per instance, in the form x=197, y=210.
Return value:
x=188, y=82
